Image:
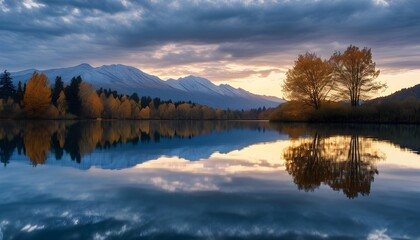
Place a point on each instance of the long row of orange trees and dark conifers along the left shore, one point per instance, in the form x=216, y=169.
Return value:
x=36, y=99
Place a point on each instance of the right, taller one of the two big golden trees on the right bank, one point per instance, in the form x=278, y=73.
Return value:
x=355, y=74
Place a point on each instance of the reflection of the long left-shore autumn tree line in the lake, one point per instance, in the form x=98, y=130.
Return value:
x=37, y=139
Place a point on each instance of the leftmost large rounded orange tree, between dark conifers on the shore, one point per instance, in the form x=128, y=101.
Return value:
x=37, y=96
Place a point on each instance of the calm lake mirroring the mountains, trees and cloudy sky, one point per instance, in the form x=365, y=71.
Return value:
x=208, y=180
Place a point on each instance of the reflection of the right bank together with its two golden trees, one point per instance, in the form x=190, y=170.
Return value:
x=342, y=156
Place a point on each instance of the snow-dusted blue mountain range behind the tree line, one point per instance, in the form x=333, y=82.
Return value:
x=126, y=79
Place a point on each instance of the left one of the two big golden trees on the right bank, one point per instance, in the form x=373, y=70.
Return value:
x=309, y=80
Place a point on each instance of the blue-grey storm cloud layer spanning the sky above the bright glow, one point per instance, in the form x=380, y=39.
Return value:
x=236, y=29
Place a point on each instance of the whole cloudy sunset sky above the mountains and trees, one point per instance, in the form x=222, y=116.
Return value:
x=247, y=44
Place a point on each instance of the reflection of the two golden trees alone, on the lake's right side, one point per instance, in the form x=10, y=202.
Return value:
x=344, y=163
